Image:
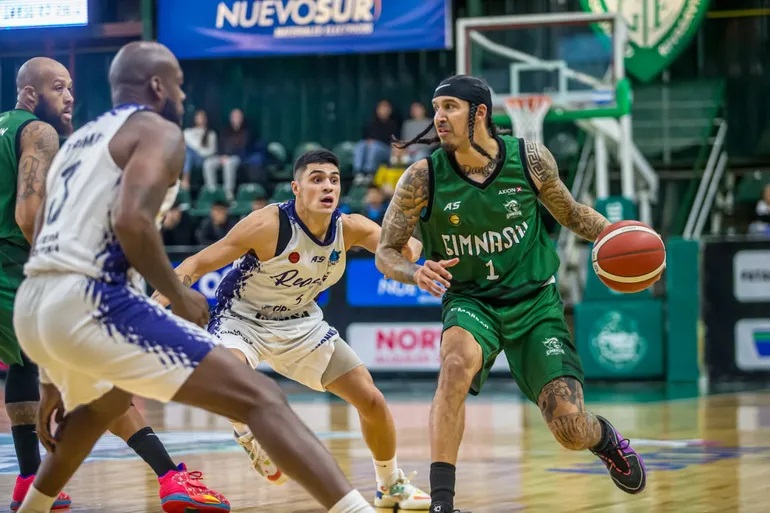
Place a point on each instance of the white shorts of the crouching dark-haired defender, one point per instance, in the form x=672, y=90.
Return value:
x=299, y=348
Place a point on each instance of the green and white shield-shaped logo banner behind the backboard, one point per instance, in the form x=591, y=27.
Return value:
x=658, y=30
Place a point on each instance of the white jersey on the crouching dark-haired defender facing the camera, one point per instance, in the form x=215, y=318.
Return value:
x=288, y=283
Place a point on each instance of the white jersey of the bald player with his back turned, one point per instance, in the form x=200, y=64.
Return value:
x=77, y=234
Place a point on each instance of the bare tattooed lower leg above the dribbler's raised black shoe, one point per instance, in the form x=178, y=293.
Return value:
x=563, y=408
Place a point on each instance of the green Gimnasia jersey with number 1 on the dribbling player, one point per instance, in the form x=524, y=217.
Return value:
x=494, y=228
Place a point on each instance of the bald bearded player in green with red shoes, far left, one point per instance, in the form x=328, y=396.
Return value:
x=29, y=139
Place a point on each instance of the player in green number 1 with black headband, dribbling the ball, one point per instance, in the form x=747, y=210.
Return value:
x=475, y=200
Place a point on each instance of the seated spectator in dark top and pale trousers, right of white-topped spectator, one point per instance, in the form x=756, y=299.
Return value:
x=233, y=144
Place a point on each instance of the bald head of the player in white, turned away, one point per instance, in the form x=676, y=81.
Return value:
x=147, y=73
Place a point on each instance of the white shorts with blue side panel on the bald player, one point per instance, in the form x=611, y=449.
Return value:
x=89, y=336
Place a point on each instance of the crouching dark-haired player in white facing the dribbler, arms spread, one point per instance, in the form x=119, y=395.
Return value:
x=285, y=256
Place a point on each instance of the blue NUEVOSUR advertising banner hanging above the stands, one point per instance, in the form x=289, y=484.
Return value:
x=228, y=28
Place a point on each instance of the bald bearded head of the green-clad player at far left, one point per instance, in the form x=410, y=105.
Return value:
x=44, y=87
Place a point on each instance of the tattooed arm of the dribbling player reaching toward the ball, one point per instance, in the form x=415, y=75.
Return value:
x=581, y=219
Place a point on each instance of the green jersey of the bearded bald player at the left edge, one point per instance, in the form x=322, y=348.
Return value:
x=11, y=125
